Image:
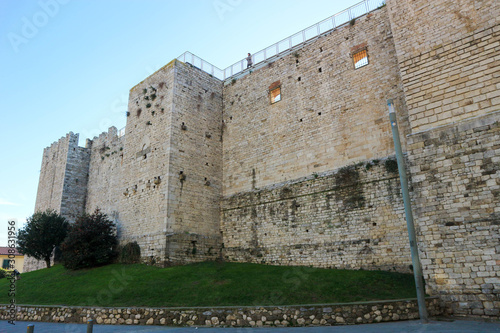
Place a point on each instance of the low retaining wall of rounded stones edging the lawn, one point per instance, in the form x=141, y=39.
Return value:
x=243, y=316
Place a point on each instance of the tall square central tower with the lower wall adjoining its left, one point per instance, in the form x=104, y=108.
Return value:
x=161, y=182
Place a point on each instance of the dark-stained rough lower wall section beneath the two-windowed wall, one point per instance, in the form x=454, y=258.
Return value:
x=352, y=218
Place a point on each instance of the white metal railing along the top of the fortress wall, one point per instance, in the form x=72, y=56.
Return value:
x=284, y=46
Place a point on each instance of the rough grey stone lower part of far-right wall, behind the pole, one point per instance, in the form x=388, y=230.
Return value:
x=456, y=179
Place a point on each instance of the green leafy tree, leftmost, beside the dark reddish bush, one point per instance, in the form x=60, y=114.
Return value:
x=43, y=232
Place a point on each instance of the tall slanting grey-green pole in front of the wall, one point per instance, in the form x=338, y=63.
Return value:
x=417, y=268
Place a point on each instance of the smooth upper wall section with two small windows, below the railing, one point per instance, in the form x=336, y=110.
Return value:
x=330, y=114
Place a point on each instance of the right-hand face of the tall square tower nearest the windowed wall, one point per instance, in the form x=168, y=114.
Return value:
x=195, y=179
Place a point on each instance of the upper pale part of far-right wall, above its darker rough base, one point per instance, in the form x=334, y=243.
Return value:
x=448, y=55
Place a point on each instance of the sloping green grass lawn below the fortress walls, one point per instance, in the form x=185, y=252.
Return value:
x=205, y=284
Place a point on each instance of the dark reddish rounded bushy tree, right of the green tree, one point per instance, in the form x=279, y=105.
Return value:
x=91, y=242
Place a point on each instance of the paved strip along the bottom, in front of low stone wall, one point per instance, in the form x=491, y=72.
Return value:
x=449, y=325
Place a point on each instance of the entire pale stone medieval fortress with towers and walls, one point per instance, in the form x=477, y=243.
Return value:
x=291, y=162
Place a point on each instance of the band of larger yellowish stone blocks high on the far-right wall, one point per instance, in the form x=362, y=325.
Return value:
x=455, y=81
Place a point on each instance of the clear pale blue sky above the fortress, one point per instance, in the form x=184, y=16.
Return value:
x=67, y=65
